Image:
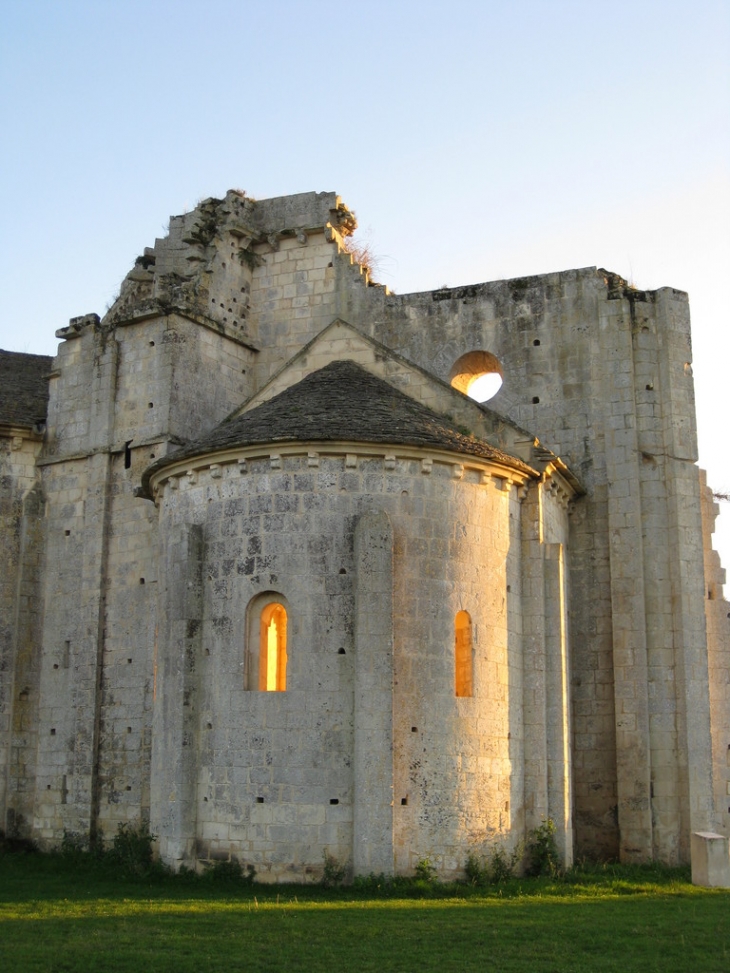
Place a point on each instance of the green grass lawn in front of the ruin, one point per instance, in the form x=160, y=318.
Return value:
x=61, y=916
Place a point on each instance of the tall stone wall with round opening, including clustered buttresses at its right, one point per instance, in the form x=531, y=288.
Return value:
x=602, y=375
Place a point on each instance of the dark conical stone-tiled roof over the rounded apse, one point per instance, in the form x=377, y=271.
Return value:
x=340, y=402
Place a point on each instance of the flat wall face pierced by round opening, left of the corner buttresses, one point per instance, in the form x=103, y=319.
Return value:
x=545, y=333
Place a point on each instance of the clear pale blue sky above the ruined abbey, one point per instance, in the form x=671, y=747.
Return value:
x=475, y=140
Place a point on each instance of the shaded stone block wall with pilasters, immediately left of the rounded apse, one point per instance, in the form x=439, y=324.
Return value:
x=121, y=394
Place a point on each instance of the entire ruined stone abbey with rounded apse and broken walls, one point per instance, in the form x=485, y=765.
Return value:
x=278, y=587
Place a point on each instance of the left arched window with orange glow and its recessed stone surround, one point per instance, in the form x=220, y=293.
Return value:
x=266, y=648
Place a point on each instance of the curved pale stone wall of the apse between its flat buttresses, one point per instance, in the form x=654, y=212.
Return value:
x=274, y=782
